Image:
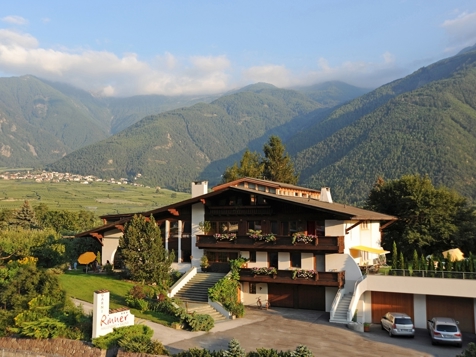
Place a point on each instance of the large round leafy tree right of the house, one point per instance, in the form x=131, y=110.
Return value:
x=430, y=219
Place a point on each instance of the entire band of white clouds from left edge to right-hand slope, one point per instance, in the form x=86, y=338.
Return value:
x=108, y=74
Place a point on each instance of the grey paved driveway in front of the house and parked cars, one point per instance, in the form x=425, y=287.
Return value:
x=284, y=329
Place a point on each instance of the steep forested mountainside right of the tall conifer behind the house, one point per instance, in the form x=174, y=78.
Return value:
x=424, y=123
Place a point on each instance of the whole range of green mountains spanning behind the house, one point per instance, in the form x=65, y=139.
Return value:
x=338, y=135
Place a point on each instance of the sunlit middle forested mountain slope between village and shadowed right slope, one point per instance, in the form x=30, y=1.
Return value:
x=172, y=149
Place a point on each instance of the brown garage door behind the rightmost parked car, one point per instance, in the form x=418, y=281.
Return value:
x=461, y=309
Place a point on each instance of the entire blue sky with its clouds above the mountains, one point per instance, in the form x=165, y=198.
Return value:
x=124, y=48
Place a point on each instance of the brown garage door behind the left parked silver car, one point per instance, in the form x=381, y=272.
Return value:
x=395, y=302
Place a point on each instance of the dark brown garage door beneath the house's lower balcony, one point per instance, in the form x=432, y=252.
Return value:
x=297, y=296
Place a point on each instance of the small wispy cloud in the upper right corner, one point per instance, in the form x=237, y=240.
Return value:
x=461, y=31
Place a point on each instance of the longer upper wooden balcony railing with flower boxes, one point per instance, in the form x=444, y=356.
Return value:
x=282, y=243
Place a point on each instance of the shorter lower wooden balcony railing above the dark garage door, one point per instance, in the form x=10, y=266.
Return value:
x=286, y=277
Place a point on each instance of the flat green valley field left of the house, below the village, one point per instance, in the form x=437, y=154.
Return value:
x=98, y=197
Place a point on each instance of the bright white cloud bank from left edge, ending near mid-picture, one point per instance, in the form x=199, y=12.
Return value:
x=106, y=73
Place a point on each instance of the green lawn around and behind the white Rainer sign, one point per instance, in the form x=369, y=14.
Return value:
x=82, y=286
